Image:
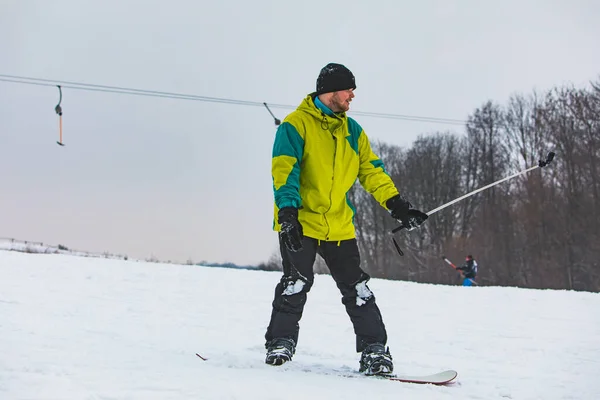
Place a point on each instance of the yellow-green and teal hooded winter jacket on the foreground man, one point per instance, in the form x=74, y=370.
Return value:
x=317, y=156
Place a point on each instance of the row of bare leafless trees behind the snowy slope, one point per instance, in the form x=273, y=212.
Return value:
x=538, y=230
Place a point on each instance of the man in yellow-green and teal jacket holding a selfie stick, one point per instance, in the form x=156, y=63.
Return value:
x=318, y=154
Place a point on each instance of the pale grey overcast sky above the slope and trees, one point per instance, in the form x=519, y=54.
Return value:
x=180, y=180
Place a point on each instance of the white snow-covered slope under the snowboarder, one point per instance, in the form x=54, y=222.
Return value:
x=92, y=328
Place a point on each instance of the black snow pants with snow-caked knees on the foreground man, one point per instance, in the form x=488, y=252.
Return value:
x=343, y=260
